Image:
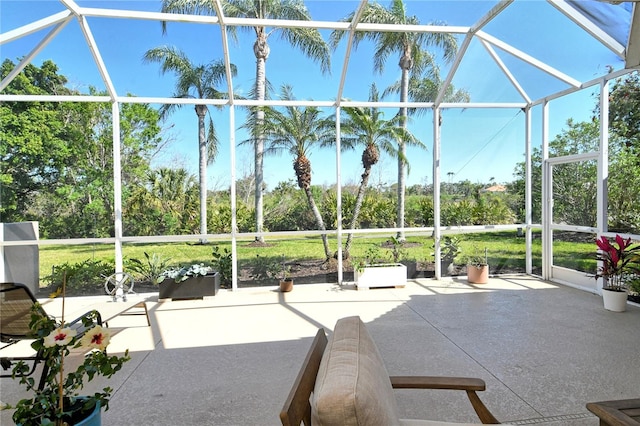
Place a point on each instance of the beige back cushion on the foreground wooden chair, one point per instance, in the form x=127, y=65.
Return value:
x=352, y=386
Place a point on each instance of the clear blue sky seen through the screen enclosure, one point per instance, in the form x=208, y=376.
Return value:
x=476, y=144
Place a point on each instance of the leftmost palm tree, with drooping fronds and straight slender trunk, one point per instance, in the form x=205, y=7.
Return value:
x=198, y=82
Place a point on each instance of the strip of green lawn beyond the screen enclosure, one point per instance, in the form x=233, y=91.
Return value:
x=506, y=251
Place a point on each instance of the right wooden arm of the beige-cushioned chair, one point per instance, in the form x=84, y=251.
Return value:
x=468, y=384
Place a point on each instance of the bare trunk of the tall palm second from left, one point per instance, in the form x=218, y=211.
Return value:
x=261, y=51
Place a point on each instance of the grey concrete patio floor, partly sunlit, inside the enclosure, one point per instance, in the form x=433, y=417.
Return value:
x=544, y=350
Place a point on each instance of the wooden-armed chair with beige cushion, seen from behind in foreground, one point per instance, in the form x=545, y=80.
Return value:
x=343, y=382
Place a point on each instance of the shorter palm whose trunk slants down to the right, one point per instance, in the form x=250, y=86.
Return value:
x=297, y=130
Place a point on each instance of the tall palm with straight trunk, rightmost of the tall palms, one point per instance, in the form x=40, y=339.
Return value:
x=414, y=58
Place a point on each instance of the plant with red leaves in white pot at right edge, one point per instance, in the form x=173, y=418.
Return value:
x=619, y=263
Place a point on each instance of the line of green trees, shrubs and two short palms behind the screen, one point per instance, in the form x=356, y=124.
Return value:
x=57, y=169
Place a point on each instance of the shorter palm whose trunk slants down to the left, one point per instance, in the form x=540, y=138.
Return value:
x=367, y=126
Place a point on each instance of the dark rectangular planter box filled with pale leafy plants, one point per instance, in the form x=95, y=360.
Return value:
x=188, y=282
